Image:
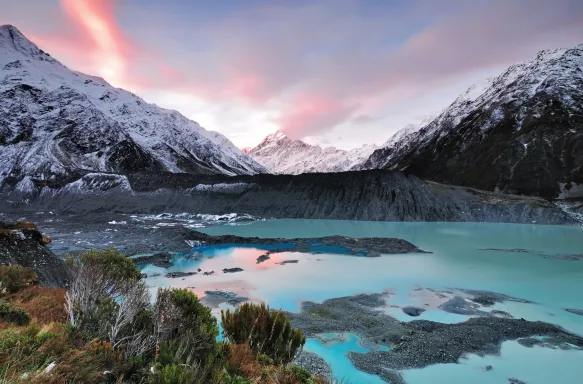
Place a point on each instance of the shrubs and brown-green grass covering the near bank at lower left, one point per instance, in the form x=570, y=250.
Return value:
x=105, y=329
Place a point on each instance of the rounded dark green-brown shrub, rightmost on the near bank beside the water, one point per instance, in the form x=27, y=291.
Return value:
x=265, y=331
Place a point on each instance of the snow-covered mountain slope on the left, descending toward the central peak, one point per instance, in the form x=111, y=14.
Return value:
x=54, y=121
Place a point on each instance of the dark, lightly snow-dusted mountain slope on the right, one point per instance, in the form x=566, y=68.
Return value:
x=520, y=132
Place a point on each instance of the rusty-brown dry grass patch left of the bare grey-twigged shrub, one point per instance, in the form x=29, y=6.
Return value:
x=44, y=304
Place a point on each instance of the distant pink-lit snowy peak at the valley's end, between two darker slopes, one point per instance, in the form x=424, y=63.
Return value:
x=280, y=154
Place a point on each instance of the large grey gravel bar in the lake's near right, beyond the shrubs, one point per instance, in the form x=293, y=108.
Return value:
x=420, y=343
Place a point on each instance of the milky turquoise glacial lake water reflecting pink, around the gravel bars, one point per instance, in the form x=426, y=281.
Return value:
x=523, y=261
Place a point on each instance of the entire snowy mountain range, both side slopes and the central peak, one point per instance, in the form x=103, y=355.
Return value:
x=520, y=132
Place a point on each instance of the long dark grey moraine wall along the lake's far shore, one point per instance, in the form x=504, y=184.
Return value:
x=367, y=195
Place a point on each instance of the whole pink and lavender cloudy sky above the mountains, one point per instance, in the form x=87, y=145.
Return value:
x=331, y=72
